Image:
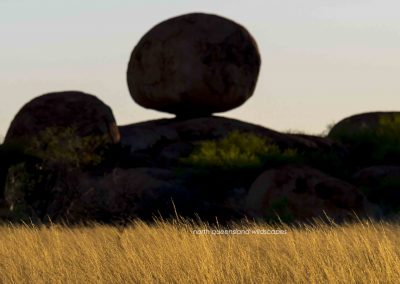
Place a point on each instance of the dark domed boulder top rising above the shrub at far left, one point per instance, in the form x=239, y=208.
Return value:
x=70, y=109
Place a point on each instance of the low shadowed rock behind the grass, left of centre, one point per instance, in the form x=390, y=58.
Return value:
x=126, y=194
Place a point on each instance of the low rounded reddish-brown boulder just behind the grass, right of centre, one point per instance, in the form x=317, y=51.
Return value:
x=302, y=193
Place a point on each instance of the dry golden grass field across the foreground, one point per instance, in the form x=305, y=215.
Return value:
x=167, y=252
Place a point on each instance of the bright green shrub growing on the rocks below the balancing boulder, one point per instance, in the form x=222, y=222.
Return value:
x=236, y=151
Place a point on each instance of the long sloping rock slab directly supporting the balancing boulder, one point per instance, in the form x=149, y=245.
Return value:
x=163, y=142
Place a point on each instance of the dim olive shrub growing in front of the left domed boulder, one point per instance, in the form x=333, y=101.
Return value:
x=59, y=153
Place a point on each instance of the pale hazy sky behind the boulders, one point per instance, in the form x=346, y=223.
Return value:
x=322, y=60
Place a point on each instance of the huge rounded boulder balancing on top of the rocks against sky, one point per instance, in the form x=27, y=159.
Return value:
x=193, y=65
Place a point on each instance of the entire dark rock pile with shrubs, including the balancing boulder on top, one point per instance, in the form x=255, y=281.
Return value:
x=193, y=66
